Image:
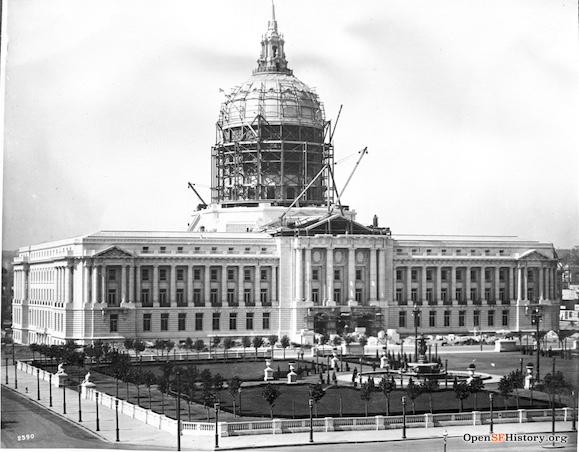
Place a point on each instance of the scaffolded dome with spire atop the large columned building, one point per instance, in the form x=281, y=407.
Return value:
x=273, y=141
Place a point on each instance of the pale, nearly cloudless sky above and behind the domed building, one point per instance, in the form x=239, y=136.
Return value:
x=469, y=110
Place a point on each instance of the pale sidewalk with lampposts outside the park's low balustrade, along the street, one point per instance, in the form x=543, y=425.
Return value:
x=138, y=434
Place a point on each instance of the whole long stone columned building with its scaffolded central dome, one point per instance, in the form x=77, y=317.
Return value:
x=275, y=251
